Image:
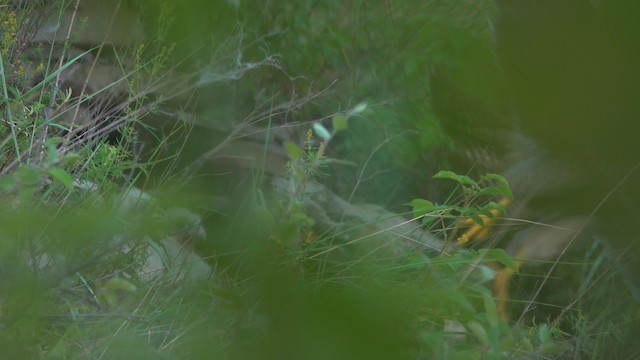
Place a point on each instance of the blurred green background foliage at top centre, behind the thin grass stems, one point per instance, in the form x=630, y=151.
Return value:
x=381, y=53
